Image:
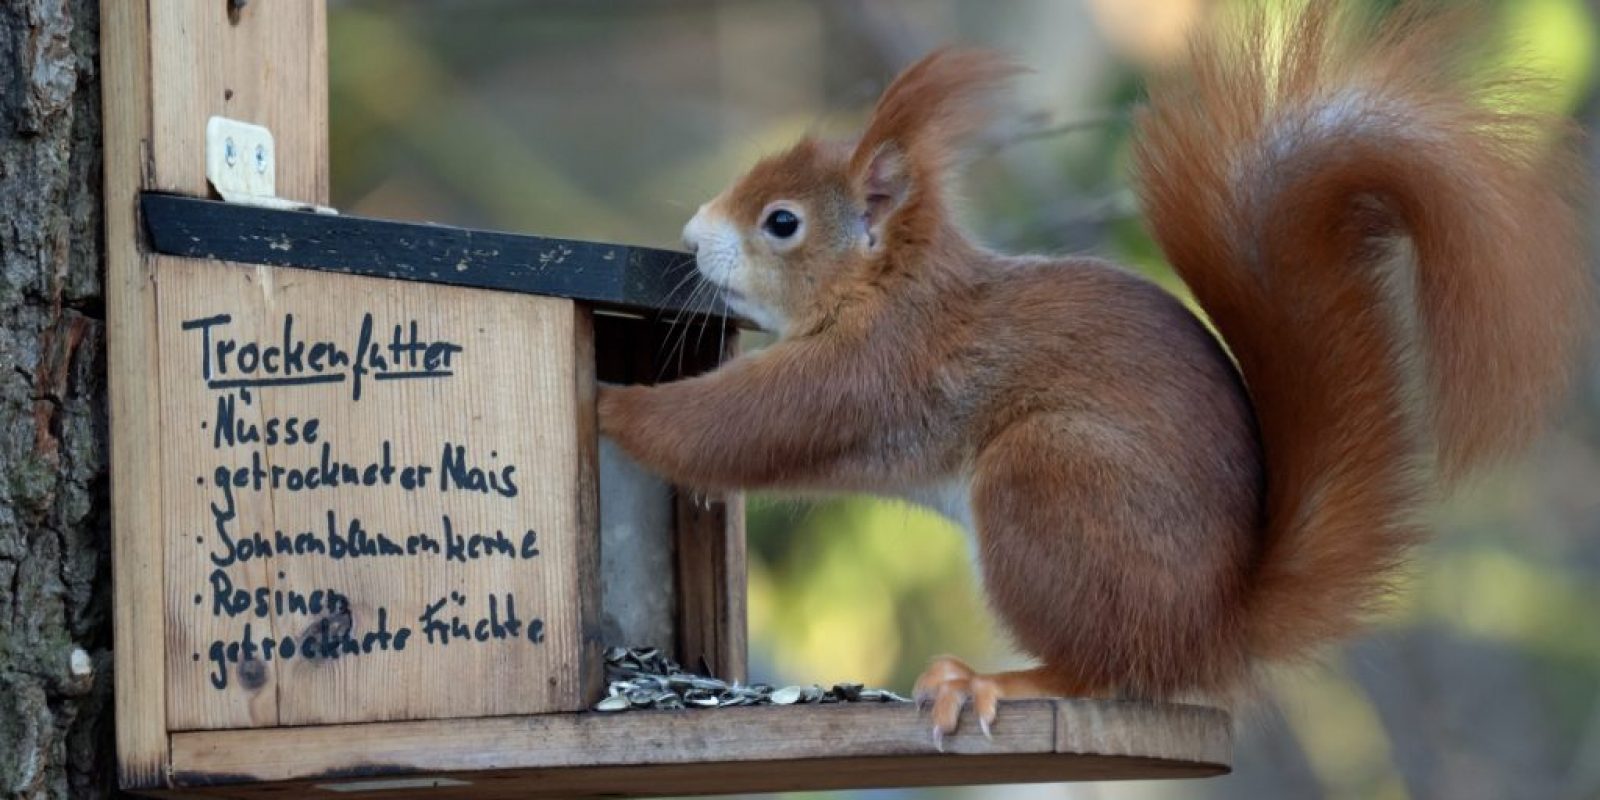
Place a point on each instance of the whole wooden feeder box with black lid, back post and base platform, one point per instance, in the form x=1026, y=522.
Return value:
x=367, y=542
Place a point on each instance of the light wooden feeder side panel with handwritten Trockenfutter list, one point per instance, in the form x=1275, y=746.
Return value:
x=372, y=498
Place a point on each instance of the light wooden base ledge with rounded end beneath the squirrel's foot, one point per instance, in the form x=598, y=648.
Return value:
x=1057, y=740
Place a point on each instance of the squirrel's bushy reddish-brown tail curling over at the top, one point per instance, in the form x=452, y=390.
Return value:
x=1390, y=247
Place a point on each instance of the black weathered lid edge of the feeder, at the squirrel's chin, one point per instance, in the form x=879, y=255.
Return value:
x=610, y=276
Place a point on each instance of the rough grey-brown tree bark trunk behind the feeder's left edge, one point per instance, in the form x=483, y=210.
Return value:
x=55, y=535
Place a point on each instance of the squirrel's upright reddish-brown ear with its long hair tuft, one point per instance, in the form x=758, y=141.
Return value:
x=924, y=122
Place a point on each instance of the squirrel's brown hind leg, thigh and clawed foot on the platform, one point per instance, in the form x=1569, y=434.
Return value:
x=1110, y=558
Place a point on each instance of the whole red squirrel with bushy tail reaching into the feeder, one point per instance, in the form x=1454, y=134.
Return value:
x=1385, y=244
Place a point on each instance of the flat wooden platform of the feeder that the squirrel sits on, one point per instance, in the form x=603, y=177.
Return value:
x=713, y=751
